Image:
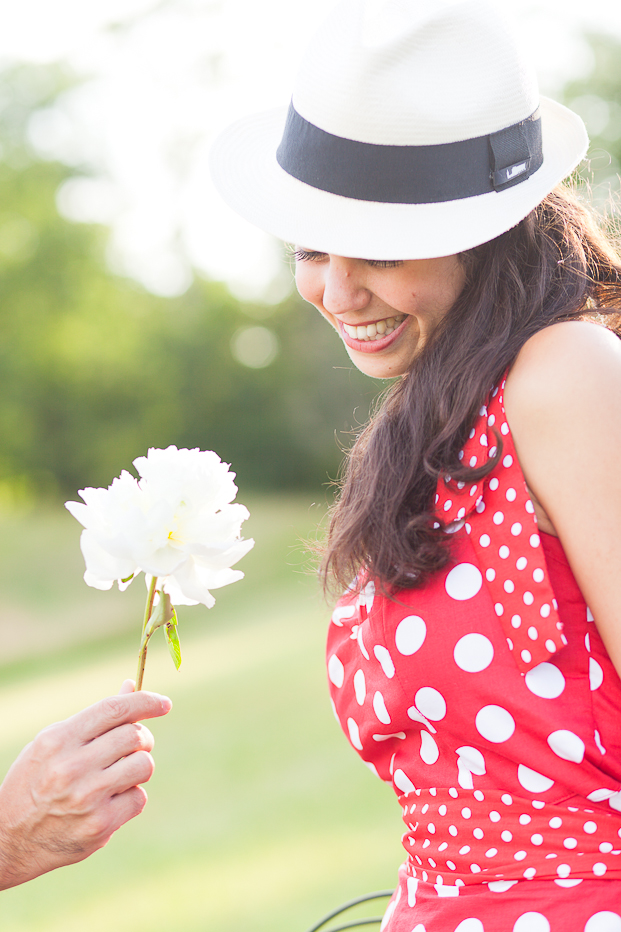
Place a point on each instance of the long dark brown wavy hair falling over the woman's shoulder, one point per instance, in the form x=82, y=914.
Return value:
x=556, y=265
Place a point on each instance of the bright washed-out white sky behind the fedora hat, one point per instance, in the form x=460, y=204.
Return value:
x=163, y=77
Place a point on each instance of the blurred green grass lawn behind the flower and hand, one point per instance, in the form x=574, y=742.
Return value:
x=260, y=816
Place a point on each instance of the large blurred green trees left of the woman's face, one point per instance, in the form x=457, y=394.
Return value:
x=94, y=370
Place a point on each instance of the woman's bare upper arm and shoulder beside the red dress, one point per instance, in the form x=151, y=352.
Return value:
x=563, y=404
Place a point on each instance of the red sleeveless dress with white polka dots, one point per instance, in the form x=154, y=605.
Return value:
x=488, y=701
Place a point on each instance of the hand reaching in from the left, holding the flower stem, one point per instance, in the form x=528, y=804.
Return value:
x=73, y=786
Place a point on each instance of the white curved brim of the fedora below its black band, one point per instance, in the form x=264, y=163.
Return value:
x=247, y=175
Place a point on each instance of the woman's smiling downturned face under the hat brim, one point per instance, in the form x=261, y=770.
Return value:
x=384, y=311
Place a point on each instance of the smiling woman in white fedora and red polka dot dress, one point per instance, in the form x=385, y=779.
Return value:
x=419, y=172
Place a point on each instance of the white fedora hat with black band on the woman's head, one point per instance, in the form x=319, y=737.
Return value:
x=415, y=130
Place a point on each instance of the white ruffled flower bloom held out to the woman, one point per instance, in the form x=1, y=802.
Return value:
x=177, y=523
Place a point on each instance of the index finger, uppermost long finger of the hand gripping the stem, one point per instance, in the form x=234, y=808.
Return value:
x=114, y=711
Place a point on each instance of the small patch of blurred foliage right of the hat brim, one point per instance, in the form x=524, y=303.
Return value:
x=596, y=96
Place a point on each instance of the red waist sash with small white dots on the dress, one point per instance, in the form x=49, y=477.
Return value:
x=460, y=837
